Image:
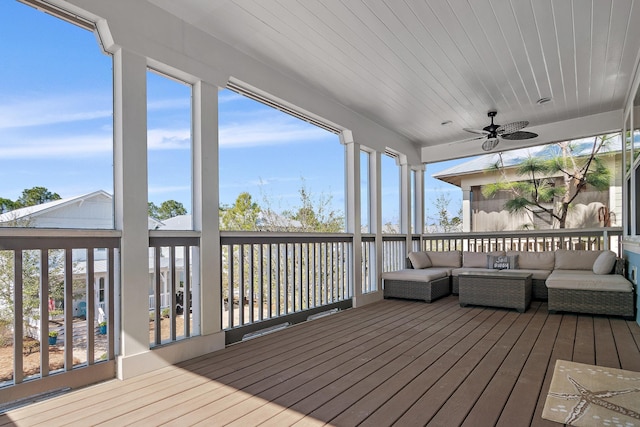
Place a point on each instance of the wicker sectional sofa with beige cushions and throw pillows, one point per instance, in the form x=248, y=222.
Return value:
x=571, y=280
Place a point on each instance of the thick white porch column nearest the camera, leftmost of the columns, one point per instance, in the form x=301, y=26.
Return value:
x=130, y=204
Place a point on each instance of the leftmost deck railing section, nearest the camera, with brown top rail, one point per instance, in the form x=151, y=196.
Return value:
x=62, y=287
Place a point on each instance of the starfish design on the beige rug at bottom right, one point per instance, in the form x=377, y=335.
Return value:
x=586, y=397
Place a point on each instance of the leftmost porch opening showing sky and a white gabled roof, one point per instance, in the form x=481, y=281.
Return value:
x=56, y=122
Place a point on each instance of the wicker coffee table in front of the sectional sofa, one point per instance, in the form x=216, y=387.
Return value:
x=502, y=288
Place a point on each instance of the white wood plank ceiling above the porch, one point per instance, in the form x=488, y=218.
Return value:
x=411, y=65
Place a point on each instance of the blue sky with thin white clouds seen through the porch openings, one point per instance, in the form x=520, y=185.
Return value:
x=56, y=129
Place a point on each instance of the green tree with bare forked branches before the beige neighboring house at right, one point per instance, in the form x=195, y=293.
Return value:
x=539, y=193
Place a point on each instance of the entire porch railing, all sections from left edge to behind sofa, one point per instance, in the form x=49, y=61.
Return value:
x=267, y=279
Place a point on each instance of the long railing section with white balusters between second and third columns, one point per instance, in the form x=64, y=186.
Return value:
x=271, y=276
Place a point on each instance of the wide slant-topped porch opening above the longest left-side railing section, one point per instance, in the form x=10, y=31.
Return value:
x=277, y=172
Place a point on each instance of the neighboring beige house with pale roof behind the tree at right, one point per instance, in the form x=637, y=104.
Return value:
x=590, y=209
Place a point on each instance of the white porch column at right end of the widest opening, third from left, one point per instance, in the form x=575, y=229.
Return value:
x=354, y=217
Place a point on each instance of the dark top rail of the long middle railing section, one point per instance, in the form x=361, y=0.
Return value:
x=241, y=237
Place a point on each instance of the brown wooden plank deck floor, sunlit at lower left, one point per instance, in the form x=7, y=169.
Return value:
x=393, y=362
